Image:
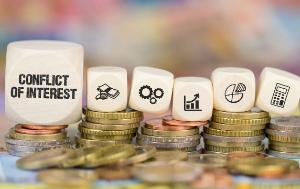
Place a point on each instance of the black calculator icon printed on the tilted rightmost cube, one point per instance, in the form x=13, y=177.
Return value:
x=279, y=95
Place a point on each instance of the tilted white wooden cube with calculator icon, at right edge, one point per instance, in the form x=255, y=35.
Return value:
x=278, y=91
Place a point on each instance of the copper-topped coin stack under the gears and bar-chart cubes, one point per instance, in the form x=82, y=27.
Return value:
x=169, y=134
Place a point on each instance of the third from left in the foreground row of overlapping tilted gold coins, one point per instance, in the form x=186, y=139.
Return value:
x=109, y=154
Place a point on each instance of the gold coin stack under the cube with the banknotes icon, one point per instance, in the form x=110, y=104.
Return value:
x=103, y=128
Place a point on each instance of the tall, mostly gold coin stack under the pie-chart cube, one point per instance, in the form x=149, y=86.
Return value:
x=229, y=131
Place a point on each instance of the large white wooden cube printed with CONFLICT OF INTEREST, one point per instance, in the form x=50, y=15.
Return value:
x=43, y=82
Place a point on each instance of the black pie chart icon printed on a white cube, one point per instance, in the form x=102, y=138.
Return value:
x=235, y=92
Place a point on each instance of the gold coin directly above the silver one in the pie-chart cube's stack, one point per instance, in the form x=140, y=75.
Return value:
x=236, y=127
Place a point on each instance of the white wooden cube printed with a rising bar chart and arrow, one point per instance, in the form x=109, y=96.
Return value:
x=192, y=99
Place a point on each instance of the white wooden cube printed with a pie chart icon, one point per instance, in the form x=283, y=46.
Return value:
x=234, y=89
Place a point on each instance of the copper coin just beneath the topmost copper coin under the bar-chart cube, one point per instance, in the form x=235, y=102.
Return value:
x=157, y=124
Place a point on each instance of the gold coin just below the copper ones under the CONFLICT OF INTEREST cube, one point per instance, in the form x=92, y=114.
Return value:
x=20, y=136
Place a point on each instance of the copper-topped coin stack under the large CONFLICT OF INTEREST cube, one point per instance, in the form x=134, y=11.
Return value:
x=27, y=139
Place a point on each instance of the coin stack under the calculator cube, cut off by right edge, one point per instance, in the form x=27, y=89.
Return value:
x=284, y=137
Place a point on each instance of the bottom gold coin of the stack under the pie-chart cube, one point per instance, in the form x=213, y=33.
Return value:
x=232, y=149
